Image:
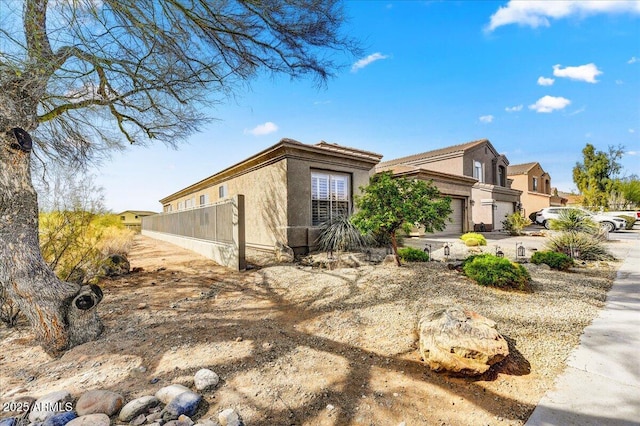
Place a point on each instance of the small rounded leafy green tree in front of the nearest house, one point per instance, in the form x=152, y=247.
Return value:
x=390, y=204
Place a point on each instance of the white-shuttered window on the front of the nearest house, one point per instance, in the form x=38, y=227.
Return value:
x=329, y=196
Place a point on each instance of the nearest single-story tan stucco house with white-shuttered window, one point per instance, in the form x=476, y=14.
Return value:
x=289, y=189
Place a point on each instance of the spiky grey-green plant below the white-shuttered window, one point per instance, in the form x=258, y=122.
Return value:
x=339, y=234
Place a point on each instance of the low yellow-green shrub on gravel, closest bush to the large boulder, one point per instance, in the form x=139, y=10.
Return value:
x=490, y=270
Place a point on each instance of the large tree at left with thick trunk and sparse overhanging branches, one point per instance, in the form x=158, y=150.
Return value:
x=81, y=78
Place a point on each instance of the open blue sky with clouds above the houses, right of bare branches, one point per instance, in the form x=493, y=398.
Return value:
x=539, y=79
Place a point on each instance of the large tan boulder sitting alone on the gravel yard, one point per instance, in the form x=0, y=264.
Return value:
x=460, y=341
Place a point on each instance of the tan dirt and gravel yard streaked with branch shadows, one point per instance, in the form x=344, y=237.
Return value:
x=301, y=346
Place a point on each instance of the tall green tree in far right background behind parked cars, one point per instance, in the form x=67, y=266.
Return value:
x=596, y=175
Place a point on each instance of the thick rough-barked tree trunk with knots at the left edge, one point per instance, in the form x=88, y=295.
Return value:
x=62, y=314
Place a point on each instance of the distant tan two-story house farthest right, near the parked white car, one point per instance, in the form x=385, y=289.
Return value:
x=535, y=184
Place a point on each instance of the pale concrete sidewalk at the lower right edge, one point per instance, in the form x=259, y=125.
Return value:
x=601, y=384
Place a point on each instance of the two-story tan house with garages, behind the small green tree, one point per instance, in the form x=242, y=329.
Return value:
x=492, y=197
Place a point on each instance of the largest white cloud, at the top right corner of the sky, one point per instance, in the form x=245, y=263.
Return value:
x=537, y=13
